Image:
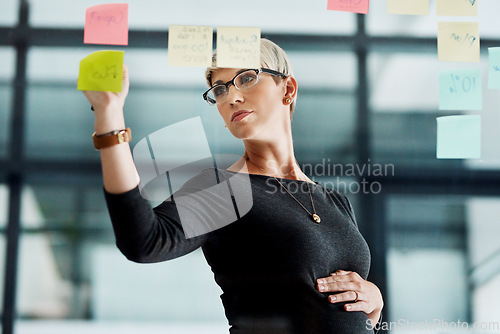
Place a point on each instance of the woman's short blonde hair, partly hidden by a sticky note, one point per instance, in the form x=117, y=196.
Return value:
x=271, y=56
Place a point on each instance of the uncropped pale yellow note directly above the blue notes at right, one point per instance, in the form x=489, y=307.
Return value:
x=458, y=41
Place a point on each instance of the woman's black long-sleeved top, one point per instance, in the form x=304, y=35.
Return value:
x=267, y=261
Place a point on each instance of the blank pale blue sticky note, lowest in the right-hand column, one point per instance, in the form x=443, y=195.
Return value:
x=459, y=137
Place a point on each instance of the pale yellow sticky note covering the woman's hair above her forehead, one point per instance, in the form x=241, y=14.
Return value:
x=238, y=47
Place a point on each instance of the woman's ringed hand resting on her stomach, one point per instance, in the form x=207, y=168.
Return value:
x=348, y=286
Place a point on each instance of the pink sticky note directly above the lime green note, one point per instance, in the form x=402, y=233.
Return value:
x=106, y=24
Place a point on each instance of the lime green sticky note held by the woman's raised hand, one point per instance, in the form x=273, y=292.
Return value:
x=101, y=71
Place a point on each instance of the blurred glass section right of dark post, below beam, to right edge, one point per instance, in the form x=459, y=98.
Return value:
x=448, y=243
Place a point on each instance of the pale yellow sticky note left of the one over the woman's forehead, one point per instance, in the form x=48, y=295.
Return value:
x=190, y=46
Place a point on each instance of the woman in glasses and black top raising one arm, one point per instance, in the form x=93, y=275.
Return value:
x=295, y=262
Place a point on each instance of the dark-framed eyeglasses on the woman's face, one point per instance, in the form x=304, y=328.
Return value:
x=243, y=80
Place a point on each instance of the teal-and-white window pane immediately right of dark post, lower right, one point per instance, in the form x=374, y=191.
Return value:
x=428, y=256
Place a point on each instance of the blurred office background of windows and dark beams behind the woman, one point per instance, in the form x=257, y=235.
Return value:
x=368, y=94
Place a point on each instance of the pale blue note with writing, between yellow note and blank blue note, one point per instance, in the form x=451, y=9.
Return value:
x=460, y=89
